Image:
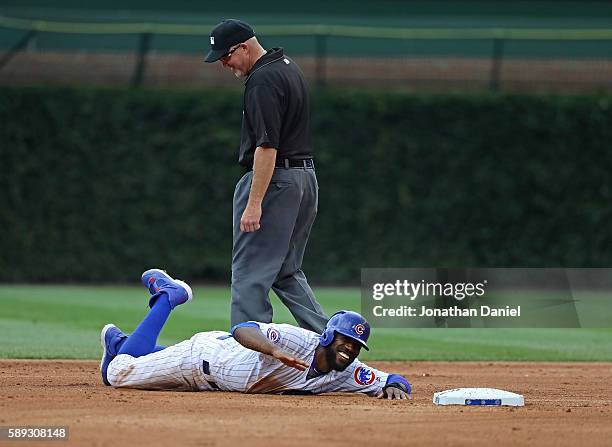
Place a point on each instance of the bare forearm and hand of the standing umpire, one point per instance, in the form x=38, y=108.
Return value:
x=263, y=168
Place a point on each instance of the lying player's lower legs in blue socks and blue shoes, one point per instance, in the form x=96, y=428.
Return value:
x=166, y=293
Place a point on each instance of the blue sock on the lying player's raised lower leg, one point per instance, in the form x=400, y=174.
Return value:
x=142, y=340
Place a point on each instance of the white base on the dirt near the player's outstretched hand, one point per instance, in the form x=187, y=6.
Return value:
x=478, y=396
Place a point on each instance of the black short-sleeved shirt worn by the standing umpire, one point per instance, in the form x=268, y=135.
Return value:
x=276, y=109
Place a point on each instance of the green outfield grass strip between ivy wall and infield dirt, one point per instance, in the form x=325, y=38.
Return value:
x=64, y=322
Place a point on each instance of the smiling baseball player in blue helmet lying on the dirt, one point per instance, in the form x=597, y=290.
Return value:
x=283, y=359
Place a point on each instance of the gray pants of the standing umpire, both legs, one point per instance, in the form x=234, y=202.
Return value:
x=271, y=257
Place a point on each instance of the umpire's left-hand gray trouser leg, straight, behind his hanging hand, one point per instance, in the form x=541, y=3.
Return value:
x=257, y=257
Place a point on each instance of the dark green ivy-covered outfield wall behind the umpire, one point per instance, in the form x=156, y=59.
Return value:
x=100, y=184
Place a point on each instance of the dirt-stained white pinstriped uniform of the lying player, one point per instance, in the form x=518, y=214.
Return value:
x=216, y=361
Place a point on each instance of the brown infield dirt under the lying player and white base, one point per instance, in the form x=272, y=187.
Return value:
x=566, y=404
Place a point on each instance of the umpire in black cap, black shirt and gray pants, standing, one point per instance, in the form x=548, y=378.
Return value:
x=275, y=202
